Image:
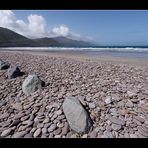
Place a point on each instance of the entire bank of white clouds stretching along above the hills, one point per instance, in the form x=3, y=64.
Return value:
x=35, y=27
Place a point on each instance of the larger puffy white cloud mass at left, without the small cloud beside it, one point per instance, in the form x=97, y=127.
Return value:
x=35, y=27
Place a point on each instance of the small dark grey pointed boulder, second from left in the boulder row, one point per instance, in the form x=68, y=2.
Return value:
x=13, y=72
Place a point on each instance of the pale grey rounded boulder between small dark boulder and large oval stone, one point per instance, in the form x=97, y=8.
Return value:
x=31, y=84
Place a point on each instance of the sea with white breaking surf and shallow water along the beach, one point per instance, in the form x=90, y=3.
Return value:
x=114, y=51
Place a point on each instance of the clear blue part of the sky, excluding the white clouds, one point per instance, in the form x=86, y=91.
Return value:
x=102, y=26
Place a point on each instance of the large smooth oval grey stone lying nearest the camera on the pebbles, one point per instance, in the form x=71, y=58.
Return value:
x=76, y=115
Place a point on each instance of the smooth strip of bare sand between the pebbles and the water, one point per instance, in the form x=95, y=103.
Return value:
x=82, y=56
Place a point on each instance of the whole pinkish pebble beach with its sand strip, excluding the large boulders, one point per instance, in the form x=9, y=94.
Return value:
x=113, y=90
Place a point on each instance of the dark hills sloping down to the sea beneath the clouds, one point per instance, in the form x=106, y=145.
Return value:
x=9, y=38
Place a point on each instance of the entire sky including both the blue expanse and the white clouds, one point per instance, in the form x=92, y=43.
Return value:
x=104, y=27
